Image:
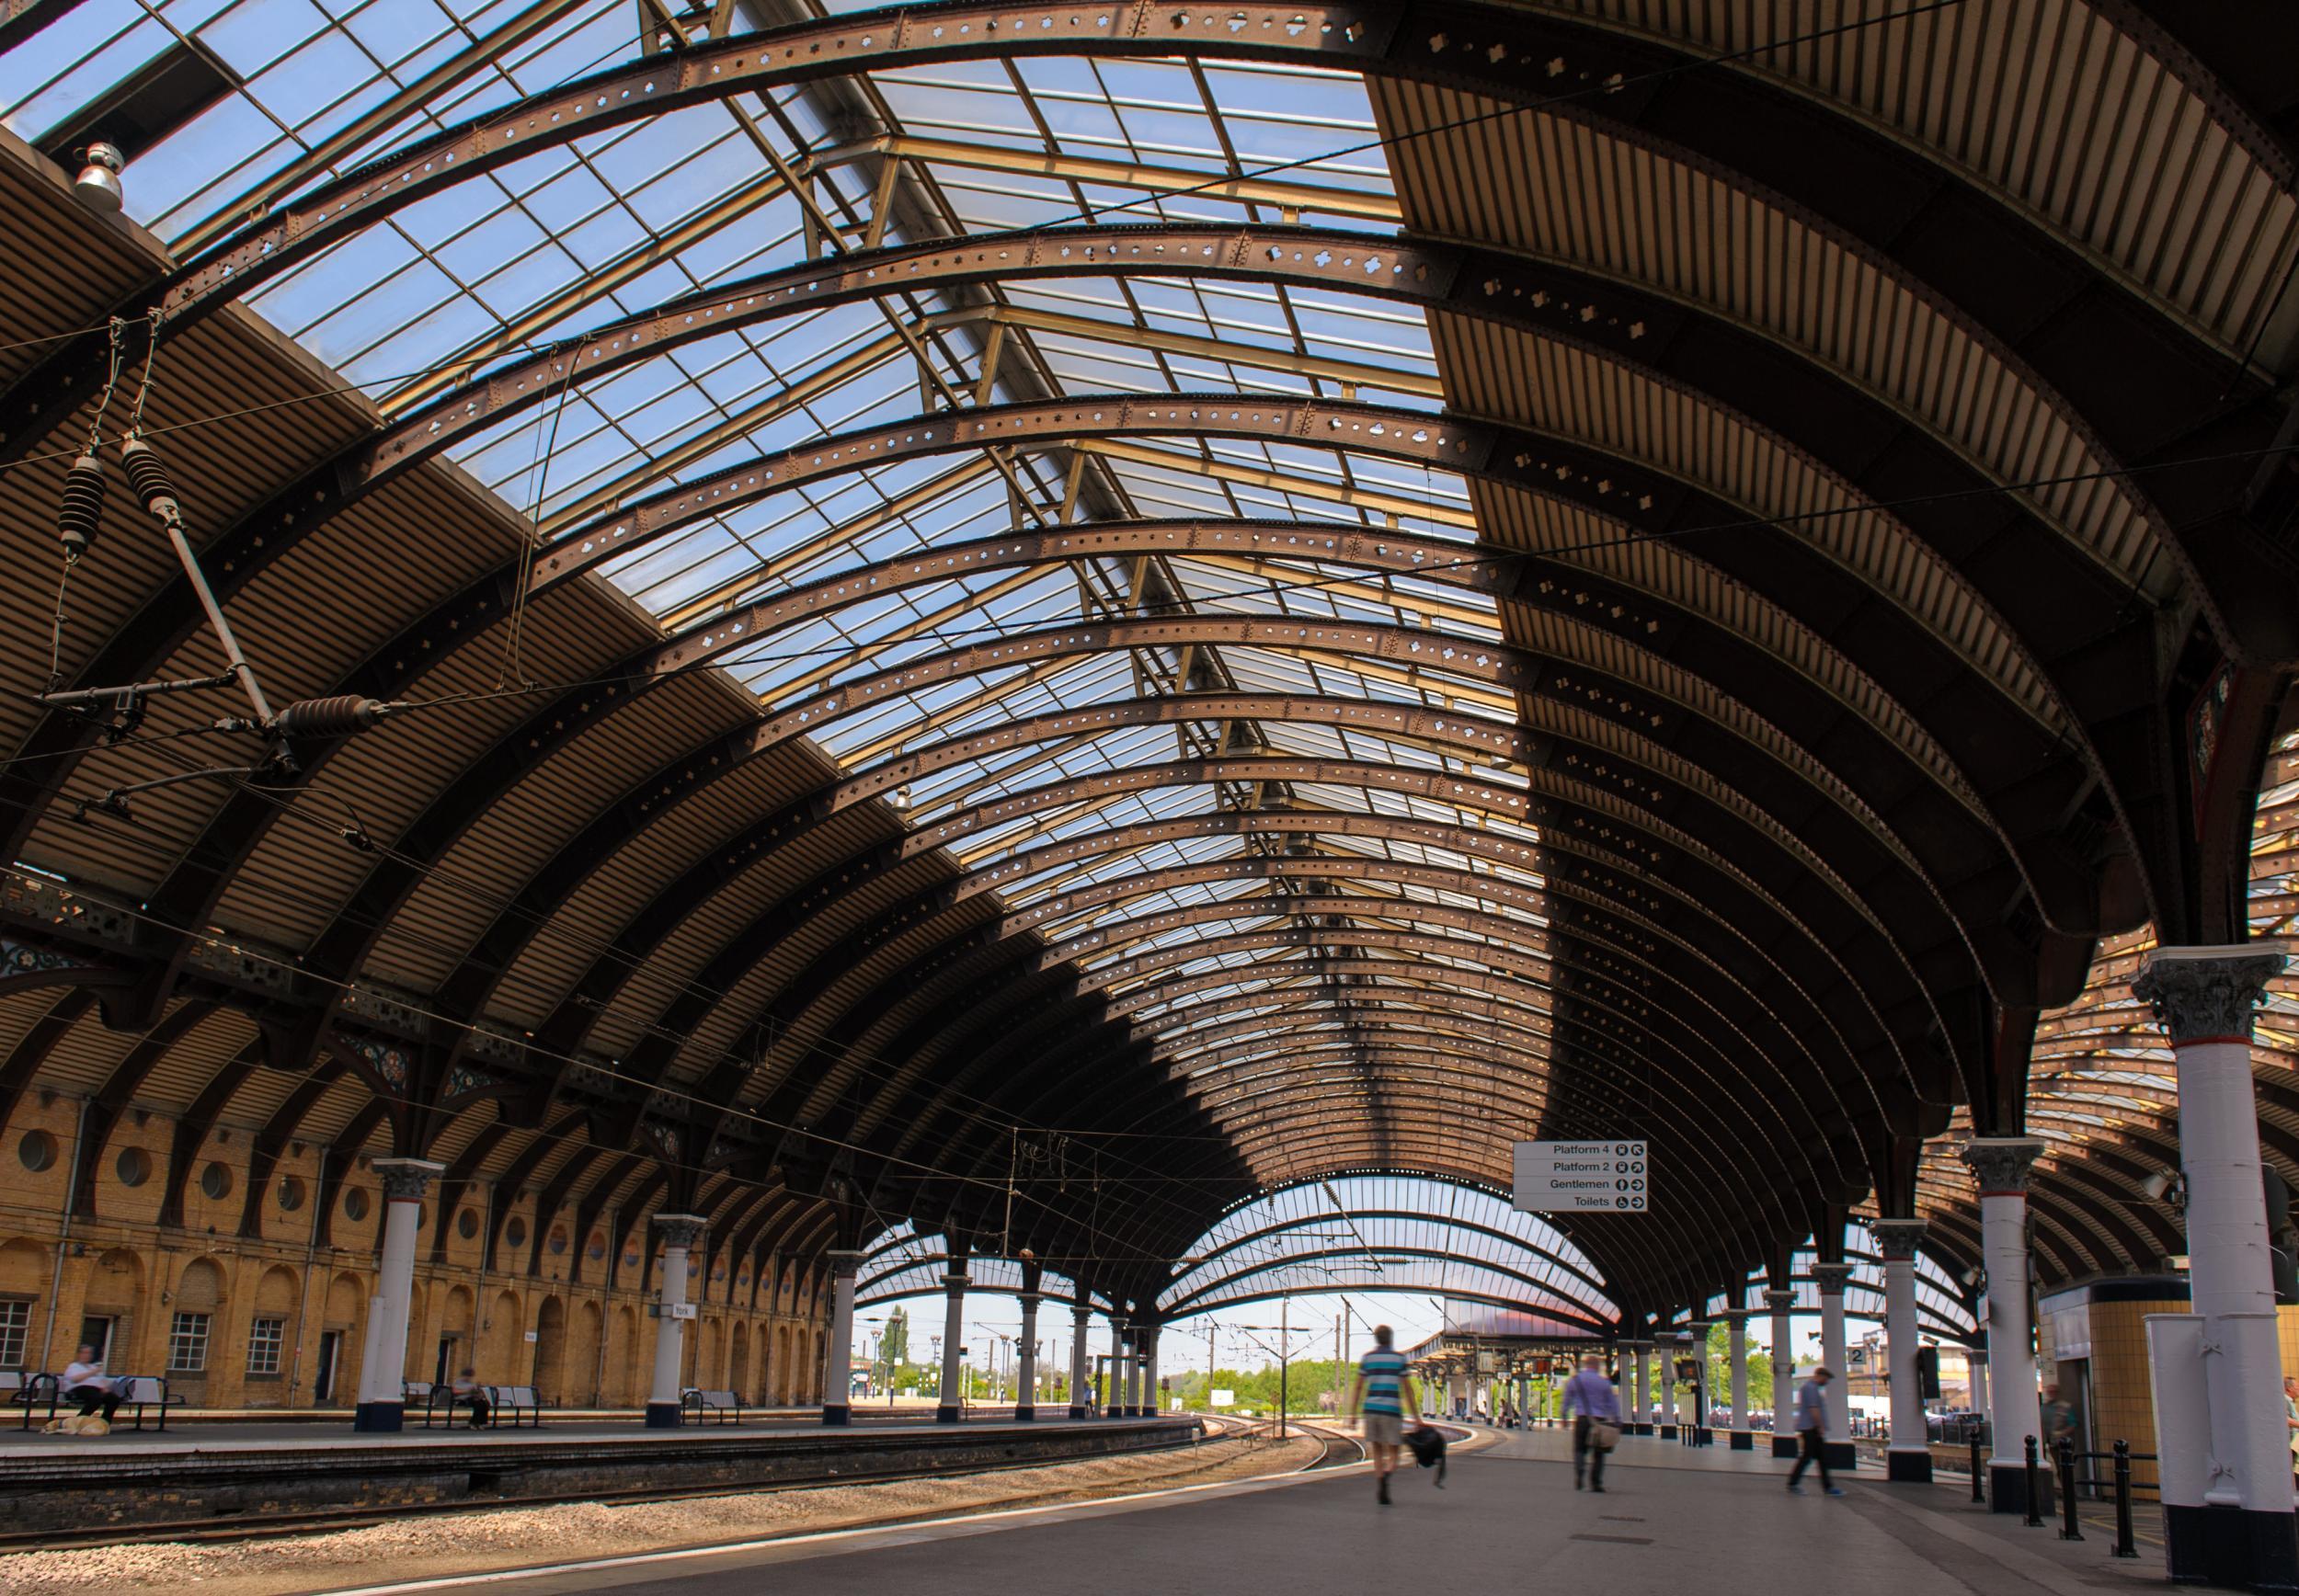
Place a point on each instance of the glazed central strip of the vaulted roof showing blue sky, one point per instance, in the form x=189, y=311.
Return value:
x=576, y=238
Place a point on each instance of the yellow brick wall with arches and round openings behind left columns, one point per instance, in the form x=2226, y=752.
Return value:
x=594, y=1340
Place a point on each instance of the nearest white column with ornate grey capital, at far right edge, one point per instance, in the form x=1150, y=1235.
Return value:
x=2243, y=1530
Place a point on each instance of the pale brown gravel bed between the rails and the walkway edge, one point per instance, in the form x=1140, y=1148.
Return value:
x=436, y=1547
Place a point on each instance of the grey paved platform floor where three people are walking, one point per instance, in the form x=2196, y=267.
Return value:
x=1673, y=1519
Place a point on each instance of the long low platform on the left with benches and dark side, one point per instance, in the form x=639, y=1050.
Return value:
x=141, y=1482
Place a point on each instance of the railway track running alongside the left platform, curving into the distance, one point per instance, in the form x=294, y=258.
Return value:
x=1335, y=1452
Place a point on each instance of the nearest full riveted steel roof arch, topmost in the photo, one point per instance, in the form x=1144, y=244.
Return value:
x=1879, y=194
